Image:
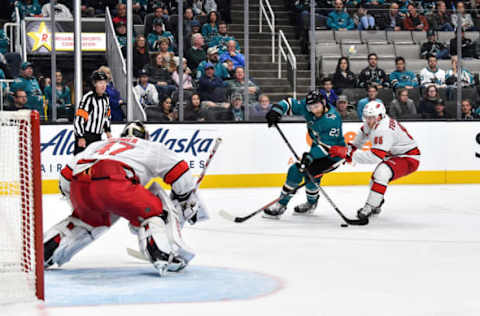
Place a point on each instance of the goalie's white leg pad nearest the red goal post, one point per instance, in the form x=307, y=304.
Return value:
x=67, y=238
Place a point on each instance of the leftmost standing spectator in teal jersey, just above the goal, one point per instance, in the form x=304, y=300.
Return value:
x=28, y=83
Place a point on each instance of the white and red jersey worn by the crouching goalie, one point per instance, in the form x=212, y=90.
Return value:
x=146, y=158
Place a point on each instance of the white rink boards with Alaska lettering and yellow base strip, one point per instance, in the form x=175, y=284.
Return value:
x=251, y=155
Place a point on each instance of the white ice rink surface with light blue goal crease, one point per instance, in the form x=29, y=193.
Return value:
x=421, y=256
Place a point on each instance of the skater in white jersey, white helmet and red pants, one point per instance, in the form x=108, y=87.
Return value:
x=393, y=150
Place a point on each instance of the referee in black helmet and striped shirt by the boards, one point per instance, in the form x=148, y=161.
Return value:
x=93, y=114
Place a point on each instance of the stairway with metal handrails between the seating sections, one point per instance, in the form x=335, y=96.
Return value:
x=263, y=72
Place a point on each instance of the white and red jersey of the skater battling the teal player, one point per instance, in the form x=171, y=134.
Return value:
x=389, y=139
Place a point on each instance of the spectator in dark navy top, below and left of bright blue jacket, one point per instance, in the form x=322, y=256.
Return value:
x=211, y=87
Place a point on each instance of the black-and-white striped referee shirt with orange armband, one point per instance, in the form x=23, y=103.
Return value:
x=93, y=115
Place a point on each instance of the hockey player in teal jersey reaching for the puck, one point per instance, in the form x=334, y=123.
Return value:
x=324, y=125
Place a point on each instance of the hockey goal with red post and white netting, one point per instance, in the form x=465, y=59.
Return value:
x=21, y=249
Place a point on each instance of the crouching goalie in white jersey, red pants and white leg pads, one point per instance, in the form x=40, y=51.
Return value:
x=107, y=181
